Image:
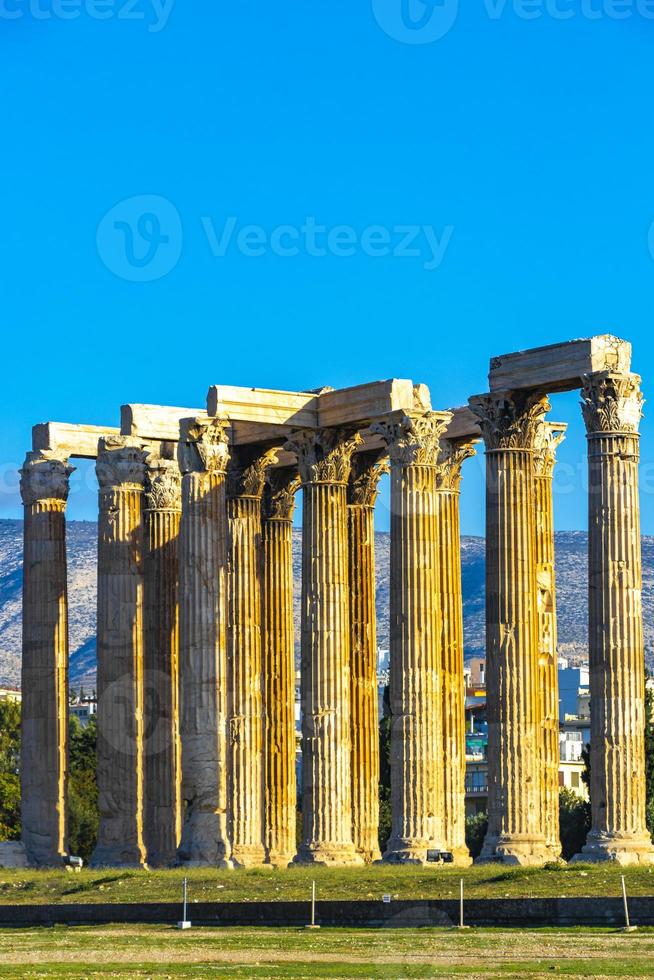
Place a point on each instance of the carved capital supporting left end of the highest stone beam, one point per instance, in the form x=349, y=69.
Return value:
x=510, y=419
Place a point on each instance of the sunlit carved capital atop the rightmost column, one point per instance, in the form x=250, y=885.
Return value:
x=611, y=403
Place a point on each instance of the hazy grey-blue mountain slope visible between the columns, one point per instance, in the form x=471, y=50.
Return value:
x=571, y=572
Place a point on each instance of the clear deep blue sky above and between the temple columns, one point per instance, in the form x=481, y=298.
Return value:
x=524, y=146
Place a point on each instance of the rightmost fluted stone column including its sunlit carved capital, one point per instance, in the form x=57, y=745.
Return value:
x=612, y=410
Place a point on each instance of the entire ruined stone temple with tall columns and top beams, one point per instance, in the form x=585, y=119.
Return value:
x=195, y=644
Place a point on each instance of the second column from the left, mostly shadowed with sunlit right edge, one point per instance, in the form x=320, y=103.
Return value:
x=121, y=473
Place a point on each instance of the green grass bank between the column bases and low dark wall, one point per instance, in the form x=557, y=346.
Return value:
x=293, y=884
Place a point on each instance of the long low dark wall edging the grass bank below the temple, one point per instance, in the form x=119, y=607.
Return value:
x=506, y=912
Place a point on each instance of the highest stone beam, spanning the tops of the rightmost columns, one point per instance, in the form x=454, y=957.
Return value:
x=559, y=367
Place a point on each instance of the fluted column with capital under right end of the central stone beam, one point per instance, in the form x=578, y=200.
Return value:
x=415, y=670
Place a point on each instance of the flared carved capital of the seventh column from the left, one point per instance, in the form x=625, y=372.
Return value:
x=324, y=455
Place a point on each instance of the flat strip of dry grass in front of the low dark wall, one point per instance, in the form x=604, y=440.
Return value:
x=159, y=951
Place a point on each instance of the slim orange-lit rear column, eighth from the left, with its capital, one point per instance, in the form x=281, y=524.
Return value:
x=367, y=468
